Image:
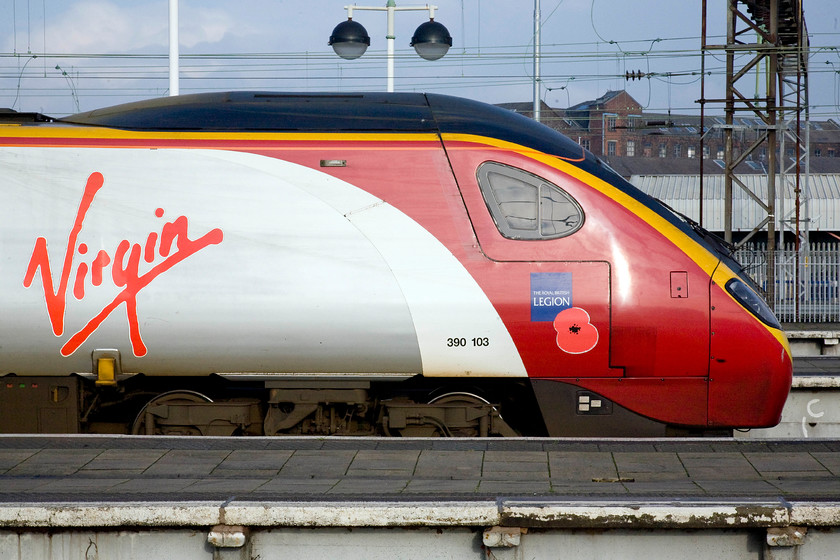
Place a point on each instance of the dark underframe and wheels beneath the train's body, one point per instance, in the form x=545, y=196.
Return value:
x=215, y=406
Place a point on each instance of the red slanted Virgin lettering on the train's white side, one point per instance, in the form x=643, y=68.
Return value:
x=157, y=252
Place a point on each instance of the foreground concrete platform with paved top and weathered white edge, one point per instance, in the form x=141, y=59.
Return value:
x=246, y=497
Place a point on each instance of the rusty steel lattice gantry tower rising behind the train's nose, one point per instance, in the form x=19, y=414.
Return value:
x=771, y=32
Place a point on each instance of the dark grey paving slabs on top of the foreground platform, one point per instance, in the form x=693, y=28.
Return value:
x=43, y=469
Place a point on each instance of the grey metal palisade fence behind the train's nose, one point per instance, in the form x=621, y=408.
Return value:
x=807, y=289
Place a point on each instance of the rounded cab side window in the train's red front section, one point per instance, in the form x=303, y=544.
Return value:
x=525, y=206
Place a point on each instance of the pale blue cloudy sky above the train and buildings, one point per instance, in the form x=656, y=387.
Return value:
x=64, y=56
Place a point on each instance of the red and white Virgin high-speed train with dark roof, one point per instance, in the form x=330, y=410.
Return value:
x=359, y=264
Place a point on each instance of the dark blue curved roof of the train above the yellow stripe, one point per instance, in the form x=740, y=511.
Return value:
x=247, y=111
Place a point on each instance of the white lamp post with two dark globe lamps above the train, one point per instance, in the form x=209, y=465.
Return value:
x=350, y=39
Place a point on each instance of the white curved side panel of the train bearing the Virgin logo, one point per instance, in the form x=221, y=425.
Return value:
x=283, y=269
